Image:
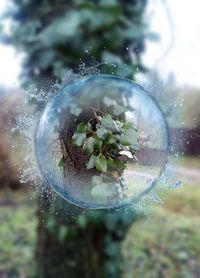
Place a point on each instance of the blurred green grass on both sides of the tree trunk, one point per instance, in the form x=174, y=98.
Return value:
x=165, y=243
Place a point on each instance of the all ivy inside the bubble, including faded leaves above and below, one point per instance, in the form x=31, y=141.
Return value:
x=104, y=136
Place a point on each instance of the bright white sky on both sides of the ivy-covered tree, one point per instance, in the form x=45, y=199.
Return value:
x=177, y=51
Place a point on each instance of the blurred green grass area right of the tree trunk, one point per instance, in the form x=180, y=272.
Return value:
x=167, y=242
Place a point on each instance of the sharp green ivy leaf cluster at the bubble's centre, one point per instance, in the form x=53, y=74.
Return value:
x=106, y=137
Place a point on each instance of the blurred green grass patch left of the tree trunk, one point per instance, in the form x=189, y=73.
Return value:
x=17, y=238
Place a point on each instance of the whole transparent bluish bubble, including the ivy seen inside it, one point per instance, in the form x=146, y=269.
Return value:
x=137, y=142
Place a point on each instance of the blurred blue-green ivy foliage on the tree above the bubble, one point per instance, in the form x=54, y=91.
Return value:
x=58, y=35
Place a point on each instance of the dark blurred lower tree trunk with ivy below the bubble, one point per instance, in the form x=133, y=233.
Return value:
x=73, y=242
